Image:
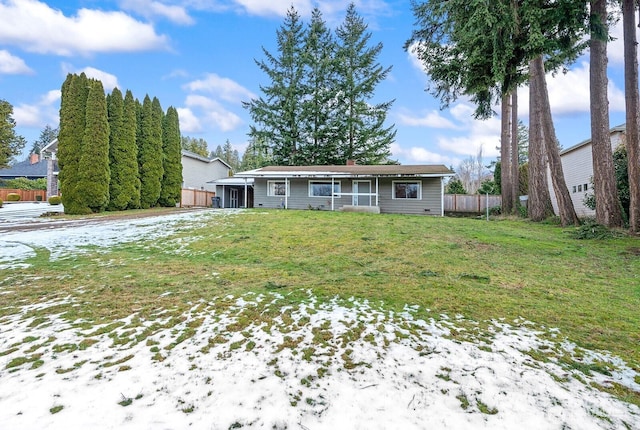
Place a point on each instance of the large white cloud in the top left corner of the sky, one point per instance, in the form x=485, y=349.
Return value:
x=36, y=27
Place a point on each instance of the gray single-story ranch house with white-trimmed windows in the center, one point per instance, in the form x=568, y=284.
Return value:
x=372, y=188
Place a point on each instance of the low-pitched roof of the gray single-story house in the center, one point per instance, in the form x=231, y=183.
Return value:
x=380, y=170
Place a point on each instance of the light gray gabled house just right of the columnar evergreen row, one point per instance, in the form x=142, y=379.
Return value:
x=199, y=172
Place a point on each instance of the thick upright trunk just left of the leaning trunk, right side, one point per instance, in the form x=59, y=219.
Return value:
x=539, y=203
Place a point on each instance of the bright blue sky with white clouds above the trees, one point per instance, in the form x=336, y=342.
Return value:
x=198, y=56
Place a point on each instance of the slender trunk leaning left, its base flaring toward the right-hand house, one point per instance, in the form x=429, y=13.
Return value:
x=566, y=211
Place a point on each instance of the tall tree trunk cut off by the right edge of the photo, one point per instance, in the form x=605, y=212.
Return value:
x=632, y=112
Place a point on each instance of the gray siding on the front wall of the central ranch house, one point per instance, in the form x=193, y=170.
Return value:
x=430, y=202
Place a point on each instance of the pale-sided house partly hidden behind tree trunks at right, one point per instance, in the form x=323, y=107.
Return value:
x=577, y=166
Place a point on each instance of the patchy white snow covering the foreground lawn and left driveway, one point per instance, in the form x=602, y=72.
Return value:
x=255, y=362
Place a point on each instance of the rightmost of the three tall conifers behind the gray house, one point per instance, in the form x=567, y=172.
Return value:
x=362, y=134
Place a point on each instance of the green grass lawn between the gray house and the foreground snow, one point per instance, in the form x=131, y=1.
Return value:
x=483, y=271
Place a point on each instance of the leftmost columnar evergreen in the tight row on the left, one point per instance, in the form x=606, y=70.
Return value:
x=75, y=90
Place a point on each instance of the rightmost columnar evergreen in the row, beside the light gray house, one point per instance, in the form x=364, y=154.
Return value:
x=172, y=165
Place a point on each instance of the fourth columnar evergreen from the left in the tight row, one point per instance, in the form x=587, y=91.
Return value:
x=129, y=173
